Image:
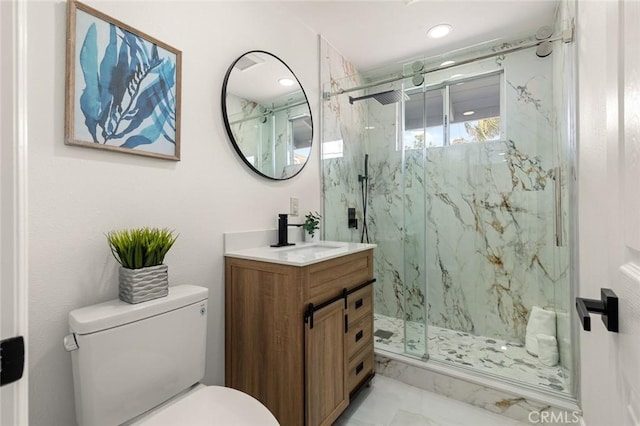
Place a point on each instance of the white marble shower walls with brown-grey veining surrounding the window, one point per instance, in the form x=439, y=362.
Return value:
x=482, y=215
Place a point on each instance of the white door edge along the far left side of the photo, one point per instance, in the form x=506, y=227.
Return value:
x=13, y=309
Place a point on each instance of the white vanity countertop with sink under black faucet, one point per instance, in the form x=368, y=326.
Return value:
x=300, y=254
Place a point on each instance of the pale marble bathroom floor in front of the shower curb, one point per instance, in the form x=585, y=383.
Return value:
x=388, y=402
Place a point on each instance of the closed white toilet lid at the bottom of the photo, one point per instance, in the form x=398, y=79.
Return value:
x=213, y=405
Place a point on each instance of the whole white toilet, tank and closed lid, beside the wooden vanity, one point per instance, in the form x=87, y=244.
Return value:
x=141, y=364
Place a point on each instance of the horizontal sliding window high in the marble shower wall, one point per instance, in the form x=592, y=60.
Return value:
x=463, y=111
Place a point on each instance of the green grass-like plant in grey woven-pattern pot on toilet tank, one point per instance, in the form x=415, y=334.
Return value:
x=140, y=253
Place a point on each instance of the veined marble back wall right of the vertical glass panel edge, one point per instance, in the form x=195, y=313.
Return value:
x=491, y=251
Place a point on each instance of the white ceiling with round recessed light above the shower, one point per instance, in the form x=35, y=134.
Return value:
x=376, y=33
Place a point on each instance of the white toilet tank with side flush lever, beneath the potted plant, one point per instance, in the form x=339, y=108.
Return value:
x=131, y=358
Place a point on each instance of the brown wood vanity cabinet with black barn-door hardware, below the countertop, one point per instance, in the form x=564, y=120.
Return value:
x=299, y=338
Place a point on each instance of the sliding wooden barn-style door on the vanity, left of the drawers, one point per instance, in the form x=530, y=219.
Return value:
x=326, y=365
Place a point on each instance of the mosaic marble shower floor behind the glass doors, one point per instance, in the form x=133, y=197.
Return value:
x=480, y=353
